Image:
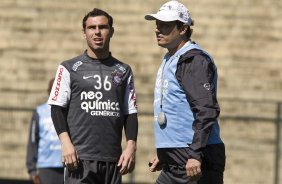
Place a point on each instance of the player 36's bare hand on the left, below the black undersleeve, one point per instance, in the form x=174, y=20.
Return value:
x=69, y=155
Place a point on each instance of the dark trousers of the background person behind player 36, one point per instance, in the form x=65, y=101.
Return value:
x=51, y=175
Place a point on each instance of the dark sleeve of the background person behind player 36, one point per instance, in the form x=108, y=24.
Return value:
x=32, y=145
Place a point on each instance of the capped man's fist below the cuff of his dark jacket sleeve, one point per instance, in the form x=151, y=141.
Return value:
x=193, y=169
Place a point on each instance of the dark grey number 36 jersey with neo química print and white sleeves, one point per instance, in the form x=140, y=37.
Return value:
x=97, y=94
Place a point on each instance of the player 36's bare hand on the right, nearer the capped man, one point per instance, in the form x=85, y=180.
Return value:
x=127, y=158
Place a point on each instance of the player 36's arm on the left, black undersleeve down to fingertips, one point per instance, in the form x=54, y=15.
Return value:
x=69, y=155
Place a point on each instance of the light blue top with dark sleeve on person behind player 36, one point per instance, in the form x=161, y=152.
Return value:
x=44, y=147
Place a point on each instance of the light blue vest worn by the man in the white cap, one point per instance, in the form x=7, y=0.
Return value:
x=178, y=131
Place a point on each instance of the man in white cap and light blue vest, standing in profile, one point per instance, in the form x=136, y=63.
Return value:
x=187, y=134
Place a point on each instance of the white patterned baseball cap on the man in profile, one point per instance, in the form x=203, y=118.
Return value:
x=171, y=11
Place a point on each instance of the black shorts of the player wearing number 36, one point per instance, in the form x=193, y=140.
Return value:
x=94, y=172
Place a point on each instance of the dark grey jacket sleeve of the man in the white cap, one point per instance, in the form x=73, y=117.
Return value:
x=198, y=78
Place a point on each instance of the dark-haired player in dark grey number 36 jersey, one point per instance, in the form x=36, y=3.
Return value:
x=93, y=98
